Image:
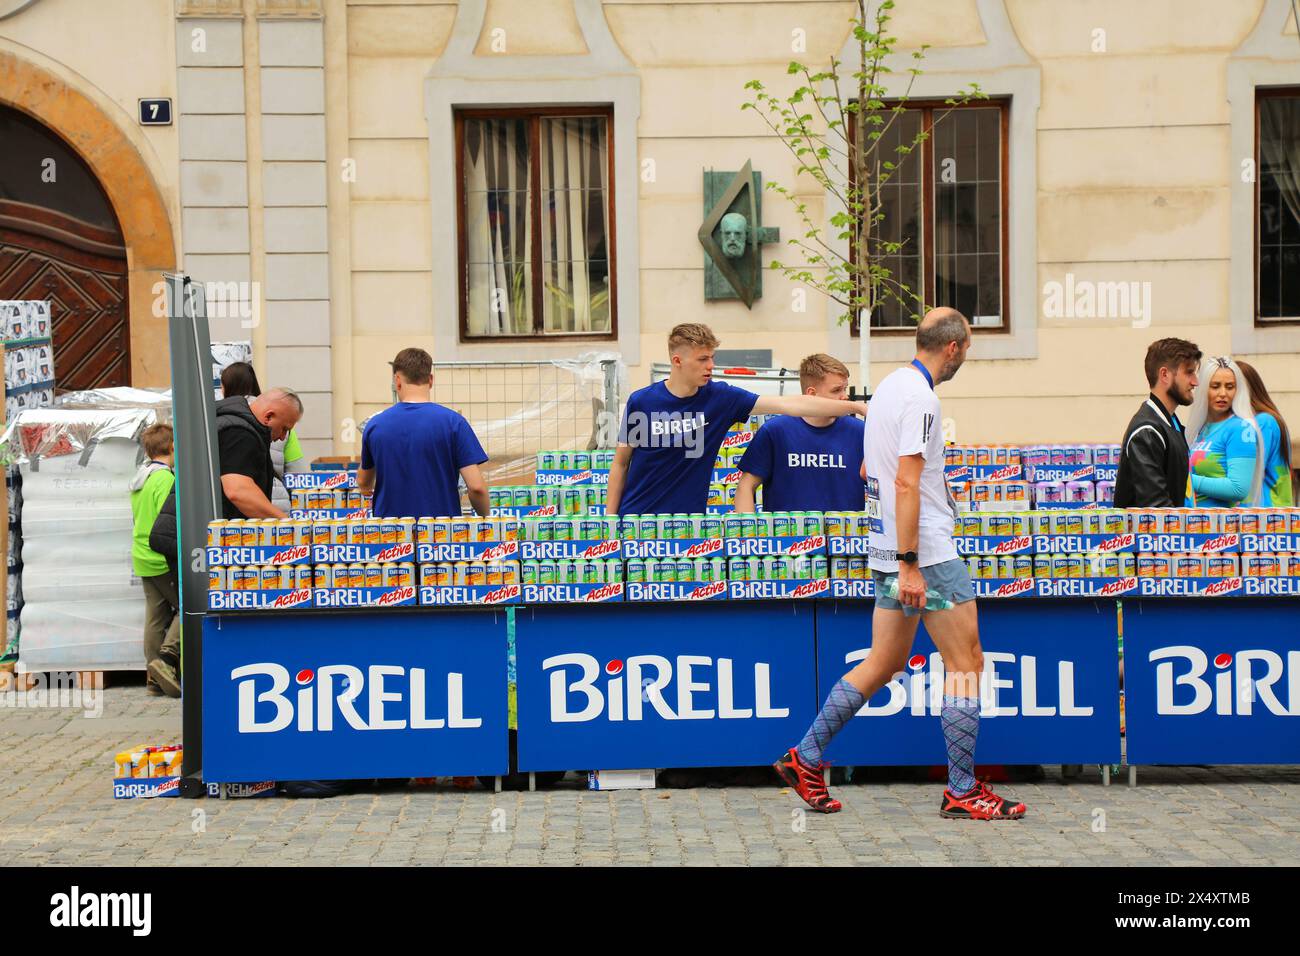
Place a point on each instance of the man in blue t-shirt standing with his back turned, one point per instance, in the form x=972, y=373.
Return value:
x=414, y=452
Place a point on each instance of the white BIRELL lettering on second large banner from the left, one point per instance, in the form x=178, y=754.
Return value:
x=653, y=682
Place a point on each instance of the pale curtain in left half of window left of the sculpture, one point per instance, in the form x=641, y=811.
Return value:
x=499, y=228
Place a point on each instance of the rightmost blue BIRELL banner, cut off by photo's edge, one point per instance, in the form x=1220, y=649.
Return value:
x=1208, y=682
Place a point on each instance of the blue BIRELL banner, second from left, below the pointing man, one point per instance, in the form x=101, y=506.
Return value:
x=665, y=686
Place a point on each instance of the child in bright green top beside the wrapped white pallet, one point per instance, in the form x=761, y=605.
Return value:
x=150, y=488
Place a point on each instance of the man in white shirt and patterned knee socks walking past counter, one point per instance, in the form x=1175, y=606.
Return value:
x=917, y=574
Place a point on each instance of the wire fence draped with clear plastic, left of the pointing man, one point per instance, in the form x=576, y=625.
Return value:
x=518, y=410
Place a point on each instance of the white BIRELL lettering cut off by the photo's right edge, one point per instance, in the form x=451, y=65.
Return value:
x=1185, y=687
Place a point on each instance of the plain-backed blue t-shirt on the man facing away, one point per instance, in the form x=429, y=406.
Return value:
x=418, y=451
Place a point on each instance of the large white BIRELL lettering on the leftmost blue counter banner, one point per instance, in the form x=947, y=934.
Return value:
x=395, y=699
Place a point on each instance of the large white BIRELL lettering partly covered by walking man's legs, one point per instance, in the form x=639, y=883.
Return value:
x=921, y=691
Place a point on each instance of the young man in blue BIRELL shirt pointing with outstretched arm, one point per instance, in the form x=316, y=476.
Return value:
x=673, y=430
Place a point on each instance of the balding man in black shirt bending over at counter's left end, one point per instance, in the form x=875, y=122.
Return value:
x=245, y=430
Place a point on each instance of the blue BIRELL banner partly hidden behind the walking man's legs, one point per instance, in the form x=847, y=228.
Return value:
x=1050, y=693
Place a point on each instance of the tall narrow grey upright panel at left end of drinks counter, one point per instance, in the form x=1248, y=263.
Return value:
x=197, y=503
